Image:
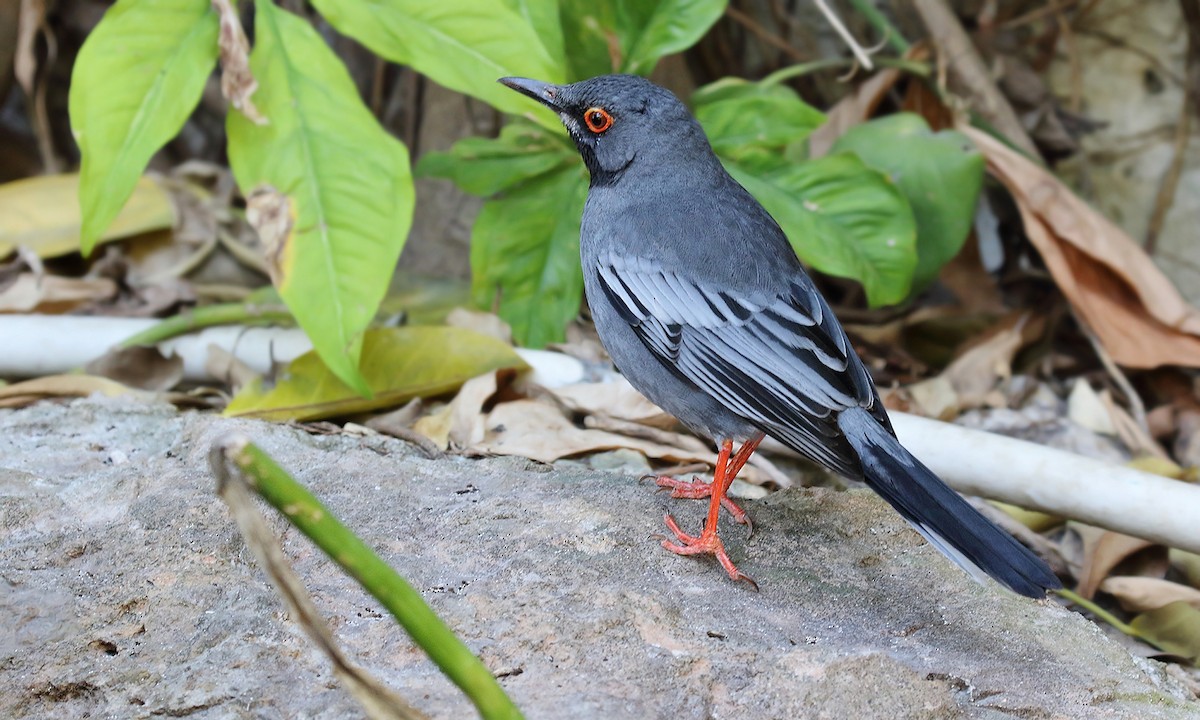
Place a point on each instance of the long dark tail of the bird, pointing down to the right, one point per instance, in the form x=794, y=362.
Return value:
x=939, y=513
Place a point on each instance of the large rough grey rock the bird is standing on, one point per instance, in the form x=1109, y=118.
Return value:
x=128, y=592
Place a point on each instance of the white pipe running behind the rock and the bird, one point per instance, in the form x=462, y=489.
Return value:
x=971, y=461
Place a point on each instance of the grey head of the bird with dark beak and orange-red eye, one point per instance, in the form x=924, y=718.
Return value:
x=620, y=122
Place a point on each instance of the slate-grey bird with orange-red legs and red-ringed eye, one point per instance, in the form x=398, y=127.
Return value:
x=701, y=303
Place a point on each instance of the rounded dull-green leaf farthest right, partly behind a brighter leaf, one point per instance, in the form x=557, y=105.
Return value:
x=939, y=173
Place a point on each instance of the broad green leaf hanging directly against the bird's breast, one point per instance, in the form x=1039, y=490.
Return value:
x=525, y=255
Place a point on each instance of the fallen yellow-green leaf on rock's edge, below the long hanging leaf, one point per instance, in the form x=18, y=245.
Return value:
x=399, y=365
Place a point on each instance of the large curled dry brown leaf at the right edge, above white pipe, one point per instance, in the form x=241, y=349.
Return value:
x=1135, y=310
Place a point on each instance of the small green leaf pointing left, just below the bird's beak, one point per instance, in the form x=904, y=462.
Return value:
x=485, y=167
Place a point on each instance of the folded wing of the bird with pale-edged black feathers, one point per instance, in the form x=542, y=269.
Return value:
x=782, y=362
